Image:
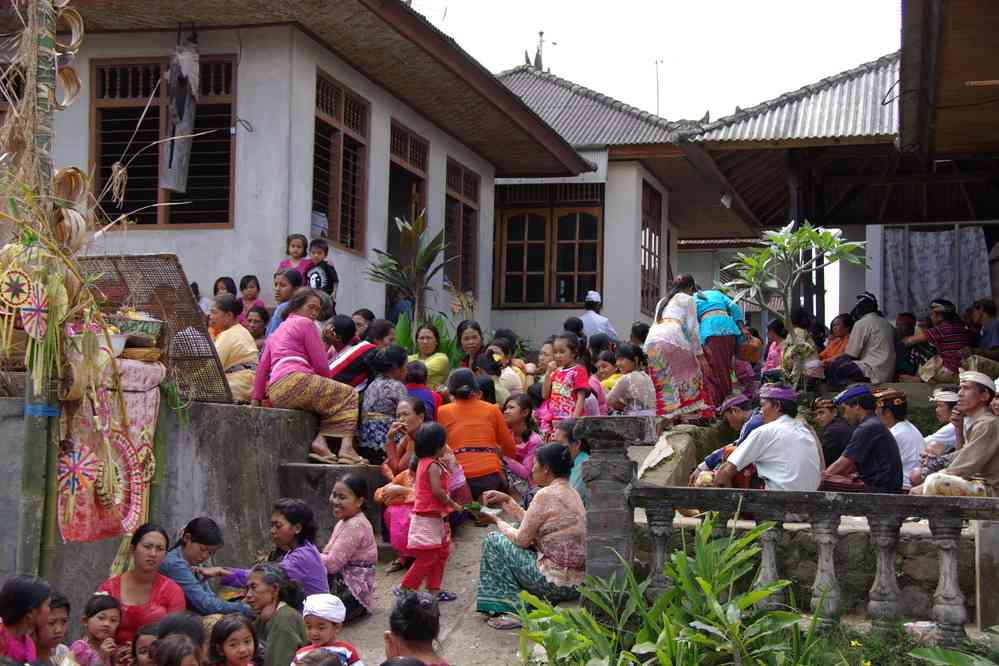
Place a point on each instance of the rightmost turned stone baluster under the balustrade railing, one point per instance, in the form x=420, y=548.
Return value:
x=948, y=602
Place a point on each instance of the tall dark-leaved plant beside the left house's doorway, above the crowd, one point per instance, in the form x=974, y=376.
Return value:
x=410, y=270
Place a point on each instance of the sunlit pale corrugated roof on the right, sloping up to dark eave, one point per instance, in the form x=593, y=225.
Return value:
x=849, y=104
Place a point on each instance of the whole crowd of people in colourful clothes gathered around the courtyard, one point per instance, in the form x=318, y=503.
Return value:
x=492, y=440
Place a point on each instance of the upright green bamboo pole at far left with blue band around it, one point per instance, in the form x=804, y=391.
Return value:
x=37, y=403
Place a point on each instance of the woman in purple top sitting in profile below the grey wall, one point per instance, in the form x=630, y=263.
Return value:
x=293, y=530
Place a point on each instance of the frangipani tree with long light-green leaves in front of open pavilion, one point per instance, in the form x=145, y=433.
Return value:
x=790, y=254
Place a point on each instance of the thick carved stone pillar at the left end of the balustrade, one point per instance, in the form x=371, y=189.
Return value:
x=608, y=475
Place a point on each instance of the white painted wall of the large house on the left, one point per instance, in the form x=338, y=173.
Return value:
x=273, y=176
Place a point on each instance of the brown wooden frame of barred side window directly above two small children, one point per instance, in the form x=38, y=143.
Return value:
x=335, y=204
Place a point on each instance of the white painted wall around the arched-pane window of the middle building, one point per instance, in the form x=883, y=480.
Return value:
x=621, y=256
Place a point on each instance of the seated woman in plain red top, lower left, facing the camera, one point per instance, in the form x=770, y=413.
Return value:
x=145, y=594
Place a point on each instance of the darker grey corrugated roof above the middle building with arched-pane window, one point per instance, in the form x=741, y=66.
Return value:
x=584, y=117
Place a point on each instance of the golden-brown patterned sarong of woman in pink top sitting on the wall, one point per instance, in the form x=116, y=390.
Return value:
x=335, y=403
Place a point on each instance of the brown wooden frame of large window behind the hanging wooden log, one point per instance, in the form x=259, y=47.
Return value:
x=163, y=196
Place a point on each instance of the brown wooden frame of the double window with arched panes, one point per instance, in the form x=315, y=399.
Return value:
x=551, y=214
